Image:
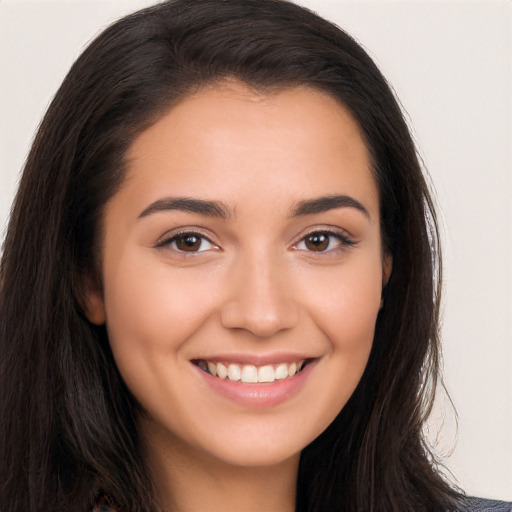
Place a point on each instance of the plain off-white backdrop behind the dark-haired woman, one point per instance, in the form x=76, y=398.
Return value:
x=450, y=64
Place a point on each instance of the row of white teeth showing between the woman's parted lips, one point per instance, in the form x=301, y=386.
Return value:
x=250, y=373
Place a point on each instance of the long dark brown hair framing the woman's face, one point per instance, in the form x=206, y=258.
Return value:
x=68, y=421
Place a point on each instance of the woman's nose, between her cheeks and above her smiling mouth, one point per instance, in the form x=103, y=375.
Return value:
x=261, y=299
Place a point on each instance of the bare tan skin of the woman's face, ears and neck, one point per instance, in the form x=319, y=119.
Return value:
x=255, y=285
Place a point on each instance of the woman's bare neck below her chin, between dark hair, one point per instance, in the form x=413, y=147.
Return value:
x=188, y=481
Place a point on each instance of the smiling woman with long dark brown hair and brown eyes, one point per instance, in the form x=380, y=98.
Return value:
x=220, y=279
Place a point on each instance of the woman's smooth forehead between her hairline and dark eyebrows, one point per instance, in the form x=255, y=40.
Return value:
x=228, y=138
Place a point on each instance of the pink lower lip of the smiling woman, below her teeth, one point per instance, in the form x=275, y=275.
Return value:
x=258, y=395
